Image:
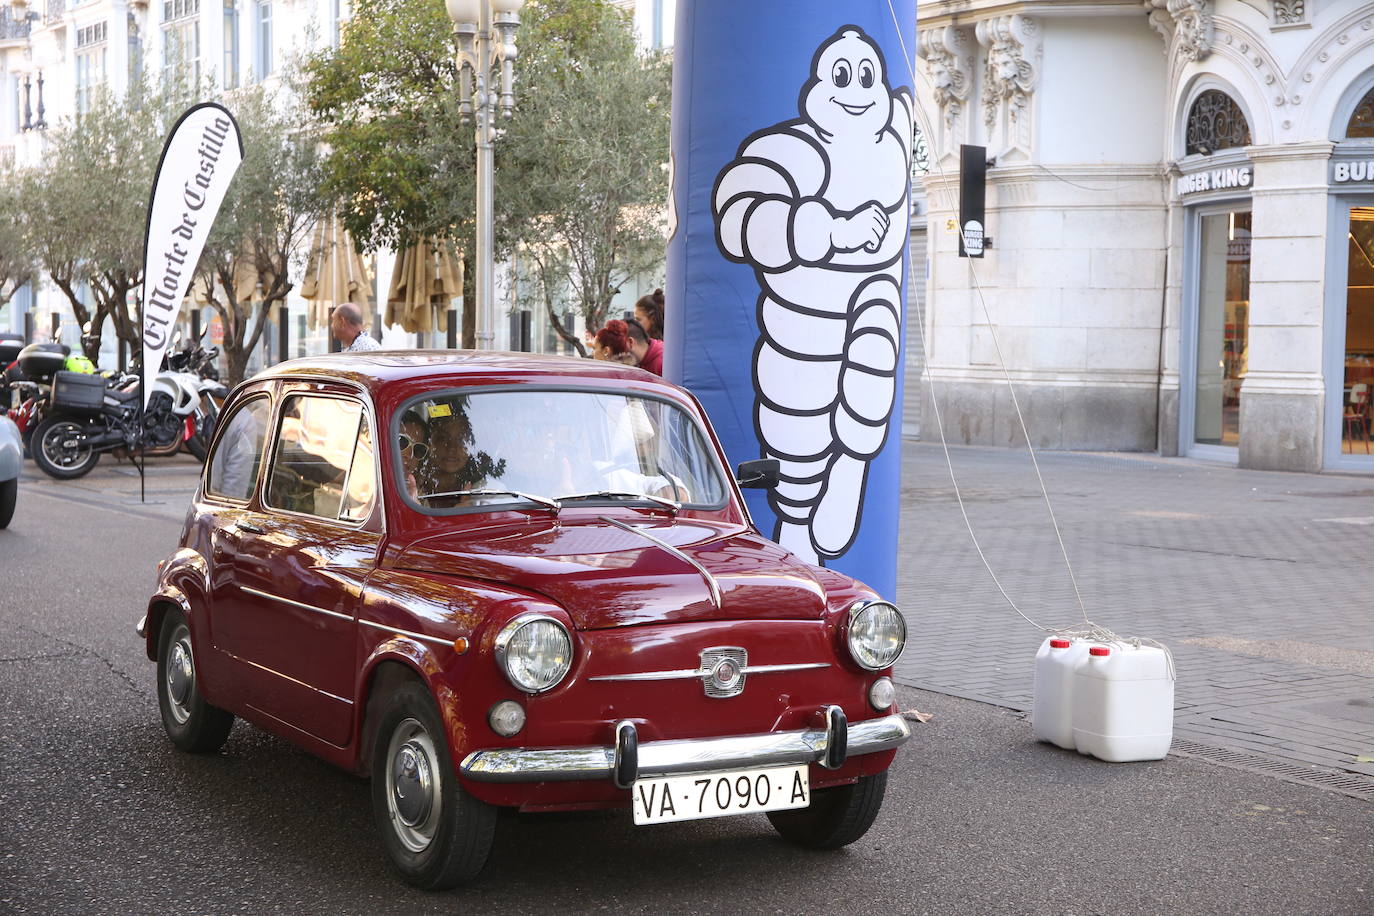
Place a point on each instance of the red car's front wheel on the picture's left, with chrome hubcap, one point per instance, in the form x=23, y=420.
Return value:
x=435, y=840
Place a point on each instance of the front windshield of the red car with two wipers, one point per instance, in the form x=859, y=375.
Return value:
x=461, y=451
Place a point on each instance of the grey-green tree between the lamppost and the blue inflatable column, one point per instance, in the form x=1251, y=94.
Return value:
x=583, y=170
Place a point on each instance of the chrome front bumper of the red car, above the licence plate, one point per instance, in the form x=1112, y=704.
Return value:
x=629, y=760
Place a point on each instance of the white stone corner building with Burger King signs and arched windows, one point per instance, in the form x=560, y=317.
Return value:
x=1181, y=208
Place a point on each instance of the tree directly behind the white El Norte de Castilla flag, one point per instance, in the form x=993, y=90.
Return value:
x=264, y=225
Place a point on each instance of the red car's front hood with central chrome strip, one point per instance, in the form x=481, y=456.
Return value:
x=608, y=576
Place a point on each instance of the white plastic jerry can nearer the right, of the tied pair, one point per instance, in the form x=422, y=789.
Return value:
x=1123, y=704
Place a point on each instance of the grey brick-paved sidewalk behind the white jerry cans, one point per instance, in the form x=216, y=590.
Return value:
x=1261, y=584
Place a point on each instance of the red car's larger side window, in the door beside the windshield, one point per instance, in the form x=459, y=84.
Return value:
x=324, y=459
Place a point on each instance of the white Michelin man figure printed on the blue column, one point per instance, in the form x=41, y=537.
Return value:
x=818, y=207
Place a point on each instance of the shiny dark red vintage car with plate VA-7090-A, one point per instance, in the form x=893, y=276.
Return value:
x=493, y=580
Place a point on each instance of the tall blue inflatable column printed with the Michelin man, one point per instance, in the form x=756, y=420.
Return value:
x=788, y=262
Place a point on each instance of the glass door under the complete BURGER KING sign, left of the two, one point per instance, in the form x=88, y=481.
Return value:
x=1222, y=329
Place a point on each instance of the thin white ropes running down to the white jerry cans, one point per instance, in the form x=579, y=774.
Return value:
x=1088, y=630
